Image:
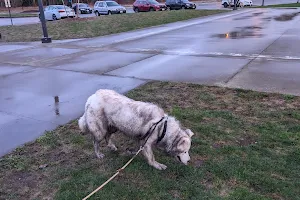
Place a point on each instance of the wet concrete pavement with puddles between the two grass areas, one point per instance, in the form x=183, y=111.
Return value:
x=43, y=86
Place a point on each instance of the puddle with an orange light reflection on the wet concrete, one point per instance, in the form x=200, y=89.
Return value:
x=243, y=32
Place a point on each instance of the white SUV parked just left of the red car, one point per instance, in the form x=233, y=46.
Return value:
x=108, y=8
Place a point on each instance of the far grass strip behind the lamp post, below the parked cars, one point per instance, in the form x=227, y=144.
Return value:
x=98, y=26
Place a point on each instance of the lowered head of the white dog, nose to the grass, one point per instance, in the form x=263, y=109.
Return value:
x=181, y=147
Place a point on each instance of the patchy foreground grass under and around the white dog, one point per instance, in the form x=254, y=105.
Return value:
x=246, y=146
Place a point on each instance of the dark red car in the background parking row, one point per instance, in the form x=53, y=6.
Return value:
x=148, y=5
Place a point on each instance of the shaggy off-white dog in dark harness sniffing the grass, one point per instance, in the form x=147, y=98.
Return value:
x=107, y=112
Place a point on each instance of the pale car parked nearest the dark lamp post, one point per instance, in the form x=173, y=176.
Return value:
x=54, y=12
